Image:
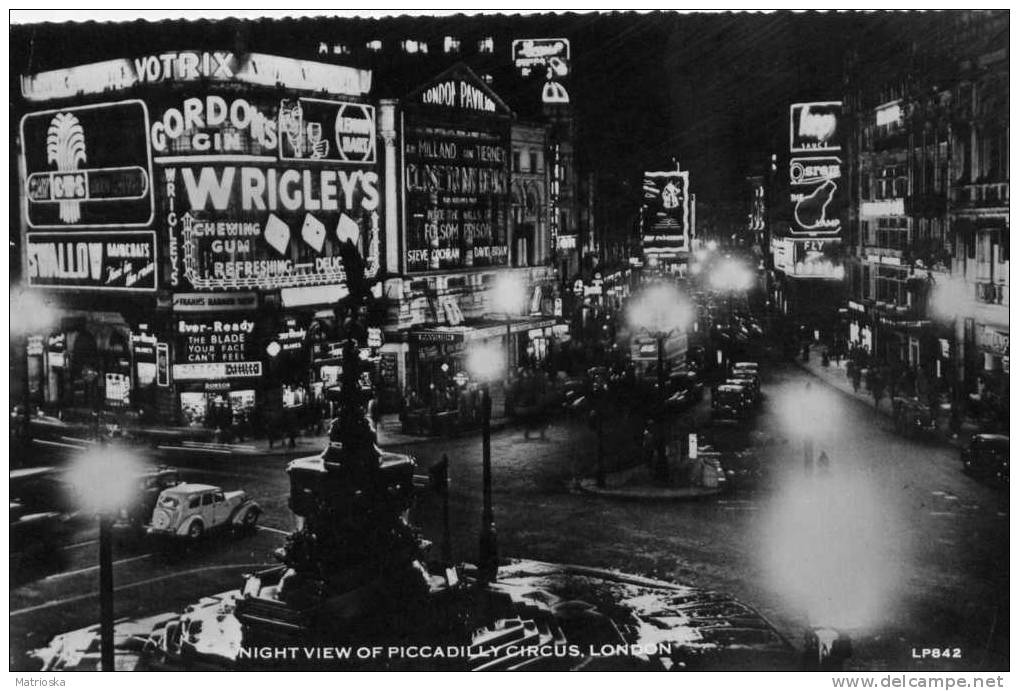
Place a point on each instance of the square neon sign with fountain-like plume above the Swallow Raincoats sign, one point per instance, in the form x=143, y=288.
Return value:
x=88, y=168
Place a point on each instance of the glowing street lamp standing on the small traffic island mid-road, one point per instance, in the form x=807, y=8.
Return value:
x=661, y=313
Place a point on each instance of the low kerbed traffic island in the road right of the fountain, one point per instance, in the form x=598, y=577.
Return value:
x=639, y=484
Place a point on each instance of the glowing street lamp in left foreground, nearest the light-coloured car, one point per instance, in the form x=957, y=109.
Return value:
x=103, y=479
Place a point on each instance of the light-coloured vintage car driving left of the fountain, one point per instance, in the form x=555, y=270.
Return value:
x=190, y=510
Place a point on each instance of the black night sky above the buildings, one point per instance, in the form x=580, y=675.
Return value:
x=712, y=90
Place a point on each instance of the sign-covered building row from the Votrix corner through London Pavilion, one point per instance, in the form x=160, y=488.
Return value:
x=184, y=217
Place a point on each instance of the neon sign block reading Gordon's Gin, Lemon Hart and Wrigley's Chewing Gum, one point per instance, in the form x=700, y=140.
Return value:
x=287, y=183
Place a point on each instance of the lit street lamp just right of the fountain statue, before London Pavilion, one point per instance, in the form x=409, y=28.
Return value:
x=487, y=364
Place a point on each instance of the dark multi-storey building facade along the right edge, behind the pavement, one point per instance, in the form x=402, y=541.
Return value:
x=928, y=252
